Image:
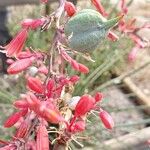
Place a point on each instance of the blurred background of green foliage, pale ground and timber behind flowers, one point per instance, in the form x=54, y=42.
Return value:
x=125, y=84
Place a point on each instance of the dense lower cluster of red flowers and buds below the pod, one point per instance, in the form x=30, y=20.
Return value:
x=45, y=105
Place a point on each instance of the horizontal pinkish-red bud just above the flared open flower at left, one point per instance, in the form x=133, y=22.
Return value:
x=32, y=23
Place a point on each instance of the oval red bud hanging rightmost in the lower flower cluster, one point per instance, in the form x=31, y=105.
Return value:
x=106, y=119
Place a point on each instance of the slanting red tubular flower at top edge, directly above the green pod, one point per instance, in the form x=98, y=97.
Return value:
x=99, y=7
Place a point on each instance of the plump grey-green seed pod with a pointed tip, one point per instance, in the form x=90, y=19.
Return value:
x=86, y=30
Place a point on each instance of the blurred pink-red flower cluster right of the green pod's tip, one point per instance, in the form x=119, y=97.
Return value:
x=129, y=27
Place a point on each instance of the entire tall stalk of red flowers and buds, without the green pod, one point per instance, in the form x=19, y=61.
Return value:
x=48, y=116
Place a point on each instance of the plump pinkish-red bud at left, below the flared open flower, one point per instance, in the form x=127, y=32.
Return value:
x=19, y=66
